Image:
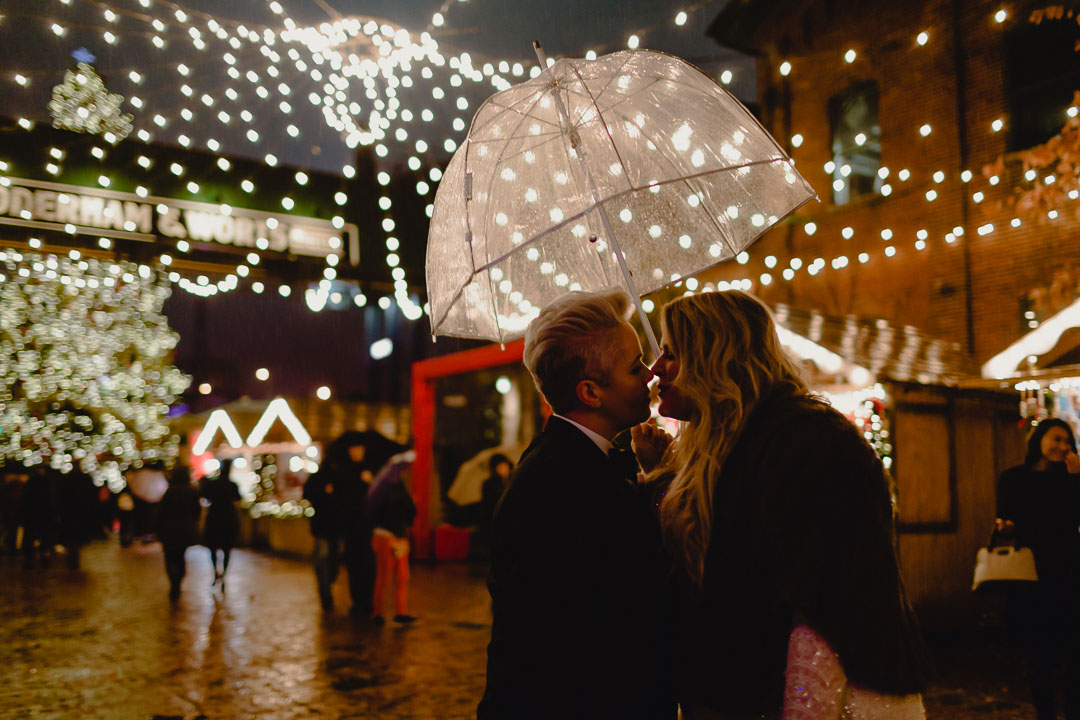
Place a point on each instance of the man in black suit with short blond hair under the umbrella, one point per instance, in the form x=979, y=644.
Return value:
x=577, y=577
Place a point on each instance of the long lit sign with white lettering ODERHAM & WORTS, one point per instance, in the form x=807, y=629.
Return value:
x=36, y=203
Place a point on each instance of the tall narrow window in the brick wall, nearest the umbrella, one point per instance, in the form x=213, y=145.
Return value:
x=857, y=143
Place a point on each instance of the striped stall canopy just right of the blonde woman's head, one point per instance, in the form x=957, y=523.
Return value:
x=866, y=350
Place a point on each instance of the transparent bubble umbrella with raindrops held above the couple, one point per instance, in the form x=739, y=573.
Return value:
x=634, y=170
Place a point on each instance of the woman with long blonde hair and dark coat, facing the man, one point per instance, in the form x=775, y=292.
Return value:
x=790, y=602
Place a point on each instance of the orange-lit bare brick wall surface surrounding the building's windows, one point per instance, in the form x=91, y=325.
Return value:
x=960, y=99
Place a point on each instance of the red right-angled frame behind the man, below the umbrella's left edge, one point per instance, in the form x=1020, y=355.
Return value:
x=425, y=374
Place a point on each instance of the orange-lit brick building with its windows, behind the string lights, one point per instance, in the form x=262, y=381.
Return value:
x=912, y=98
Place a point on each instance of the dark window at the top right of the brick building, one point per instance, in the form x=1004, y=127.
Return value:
x=1042, y=74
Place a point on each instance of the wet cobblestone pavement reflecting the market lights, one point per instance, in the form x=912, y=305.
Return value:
x=105, y=644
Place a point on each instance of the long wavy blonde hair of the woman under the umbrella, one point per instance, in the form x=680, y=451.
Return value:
x=730, y=358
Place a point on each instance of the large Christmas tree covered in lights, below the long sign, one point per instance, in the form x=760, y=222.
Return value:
x=85, y=363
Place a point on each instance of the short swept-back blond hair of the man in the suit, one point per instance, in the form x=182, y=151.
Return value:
x=570, y=343
